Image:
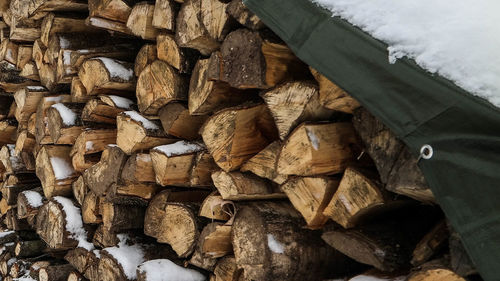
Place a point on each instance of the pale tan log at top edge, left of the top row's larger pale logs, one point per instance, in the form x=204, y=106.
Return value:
x=140, y=21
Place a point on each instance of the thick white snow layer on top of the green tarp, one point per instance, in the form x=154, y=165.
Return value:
x=457, y=39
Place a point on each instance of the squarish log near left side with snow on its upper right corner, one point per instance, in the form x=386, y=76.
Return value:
x=64, y=123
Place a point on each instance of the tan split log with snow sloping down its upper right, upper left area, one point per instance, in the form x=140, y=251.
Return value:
x=103, y=75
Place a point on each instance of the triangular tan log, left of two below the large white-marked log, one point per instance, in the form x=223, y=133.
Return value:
x=310, y=196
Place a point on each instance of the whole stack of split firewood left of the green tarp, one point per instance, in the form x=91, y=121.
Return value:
x=182, y=140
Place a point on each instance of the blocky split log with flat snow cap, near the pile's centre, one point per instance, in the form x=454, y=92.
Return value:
x=173, y=163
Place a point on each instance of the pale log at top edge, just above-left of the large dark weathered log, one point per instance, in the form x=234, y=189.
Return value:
x=190, y=31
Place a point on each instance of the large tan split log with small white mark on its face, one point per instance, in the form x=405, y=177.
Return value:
x=315, y=149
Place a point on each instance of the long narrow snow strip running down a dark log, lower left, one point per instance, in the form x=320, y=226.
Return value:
x=74, y=223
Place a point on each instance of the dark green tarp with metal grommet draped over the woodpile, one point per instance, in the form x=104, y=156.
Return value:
x=420, y=108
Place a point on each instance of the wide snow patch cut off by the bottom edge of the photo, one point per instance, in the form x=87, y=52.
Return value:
x=166, y=270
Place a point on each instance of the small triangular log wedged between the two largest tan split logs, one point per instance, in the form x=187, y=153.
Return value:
x=263, y=164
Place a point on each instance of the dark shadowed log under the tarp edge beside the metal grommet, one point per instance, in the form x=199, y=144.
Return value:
x=391, y=158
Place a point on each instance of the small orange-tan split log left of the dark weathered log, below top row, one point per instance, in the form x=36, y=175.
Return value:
x=182, y=59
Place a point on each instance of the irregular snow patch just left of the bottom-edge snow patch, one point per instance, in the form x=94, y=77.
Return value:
x=129, y=257
